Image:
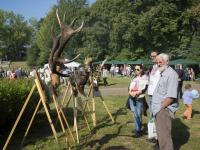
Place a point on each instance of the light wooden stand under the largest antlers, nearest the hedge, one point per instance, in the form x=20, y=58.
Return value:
x=38, y=86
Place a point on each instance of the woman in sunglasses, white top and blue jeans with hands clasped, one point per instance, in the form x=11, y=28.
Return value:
x=137, y=100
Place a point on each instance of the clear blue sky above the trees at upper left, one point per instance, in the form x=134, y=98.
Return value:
x=30, y=8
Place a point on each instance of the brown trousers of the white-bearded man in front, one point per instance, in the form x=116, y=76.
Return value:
x=163, y=129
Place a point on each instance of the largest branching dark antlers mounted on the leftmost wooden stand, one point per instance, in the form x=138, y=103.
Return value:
x=55, y=61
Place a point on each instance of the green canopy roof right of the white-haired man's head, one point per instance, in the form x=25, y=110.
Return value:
x=184, y=62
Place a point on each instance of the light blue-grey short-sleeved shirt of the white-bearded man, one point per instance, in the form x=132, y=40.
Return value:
x=166, y=88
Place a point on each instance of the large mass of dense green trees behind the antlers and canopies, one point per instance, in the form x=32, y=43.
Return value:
x=119, y=29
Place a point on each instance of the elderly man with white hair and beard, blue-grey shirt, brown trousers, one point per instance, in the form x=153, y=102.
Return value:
x=164, y=102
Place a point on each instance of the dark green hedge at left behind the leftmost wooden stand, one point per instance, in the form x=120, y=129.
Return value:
x=13, y=94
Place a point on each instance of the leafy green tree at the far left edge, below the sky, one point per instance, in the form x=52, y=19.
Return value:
x=14, y=36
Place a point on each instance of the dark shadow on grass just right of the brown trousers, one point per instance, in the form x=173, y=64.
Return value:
x=180, y=133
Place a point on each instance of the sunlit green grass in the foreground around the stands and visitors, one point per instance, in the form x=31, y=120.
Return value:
x=106, y=135
